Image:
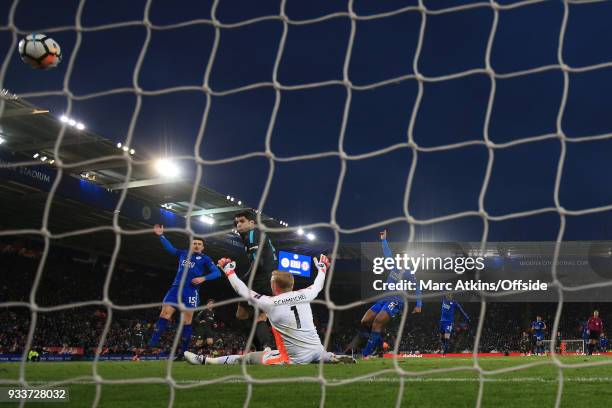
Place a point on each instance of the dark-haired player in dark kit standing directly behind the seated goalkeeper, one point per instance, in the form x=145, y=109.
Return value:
x=246, y=225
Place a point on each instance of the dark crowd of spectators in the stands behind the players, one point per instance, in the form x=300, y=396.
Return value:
x=70, y=277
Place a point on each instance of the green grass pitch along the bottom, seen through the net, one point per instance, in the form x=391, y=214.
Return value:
x=437, y=382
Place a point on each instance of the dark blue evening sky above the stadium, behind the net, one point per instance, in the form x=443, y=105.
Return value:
x=309, y=121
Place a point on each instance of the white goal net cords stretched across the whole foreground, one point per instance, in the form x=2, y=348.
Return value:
x=424, y=11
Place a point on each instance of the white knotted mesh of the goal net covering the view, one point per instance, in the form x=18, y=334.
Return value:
x=340, y=153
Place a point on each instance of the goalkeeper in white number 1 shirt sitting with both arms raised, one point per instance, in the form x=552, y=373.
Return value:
x=290, y=314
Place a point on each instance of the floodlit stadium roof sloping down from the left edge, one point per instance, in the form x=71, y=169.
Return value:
x=29, y=130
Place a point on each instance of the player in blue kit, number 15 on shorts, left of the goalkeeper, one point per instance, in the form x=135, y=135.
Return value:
x=189, y=297
